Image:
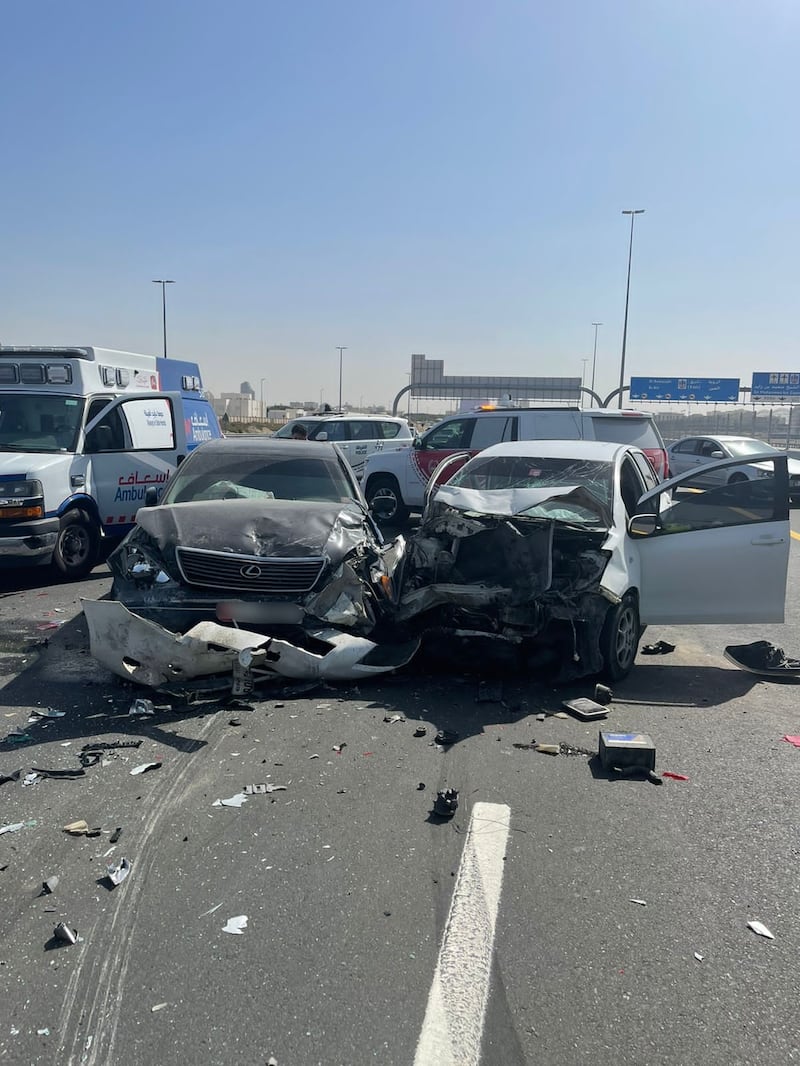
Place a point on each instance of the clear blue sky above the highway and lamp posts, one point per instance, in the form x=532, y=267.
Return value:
x=442, y=177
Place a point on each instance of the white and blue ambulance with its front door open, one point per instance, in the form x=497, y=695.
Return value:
x=85, y=434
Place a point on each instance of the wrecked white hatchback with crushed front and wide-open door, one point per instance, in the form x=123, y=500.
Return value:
x=566, y=550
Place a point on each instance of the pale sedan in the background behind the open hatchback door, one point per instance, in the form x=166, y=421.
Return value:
x=693, y=455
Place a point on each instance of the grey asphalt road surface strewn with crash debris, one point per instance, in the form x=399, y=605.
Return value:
x=561, y=917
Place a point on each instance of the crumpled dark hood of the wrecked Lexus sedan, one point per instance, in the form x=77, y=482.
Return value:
x=284, y=528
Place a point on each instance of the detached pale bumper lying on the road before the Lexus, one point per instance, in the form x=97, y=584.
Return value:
x=143, y=652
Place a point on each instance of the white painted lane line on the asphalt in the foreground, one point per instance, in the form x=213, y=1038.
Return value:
x=457, y=1005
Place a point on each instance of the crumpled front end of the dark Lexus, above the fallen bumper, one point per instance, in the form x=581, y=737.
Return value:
x=290, y=563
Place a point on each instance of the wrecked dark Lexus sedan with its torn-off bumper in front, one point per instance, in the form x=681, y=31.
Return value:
x=258, y=536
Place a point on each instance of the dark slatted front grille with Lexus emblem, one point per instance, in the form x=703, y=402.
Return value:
x=251, y=574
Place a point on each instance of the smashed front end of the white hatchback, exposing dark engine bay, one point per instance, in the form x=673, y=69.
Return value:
x=523, y=568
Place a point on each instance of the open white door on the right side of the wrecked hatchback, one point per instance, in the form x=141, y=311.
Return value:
x=717, y=556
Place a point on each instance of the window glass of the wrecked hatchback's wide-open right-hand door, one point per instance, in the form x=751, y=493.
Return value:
x=739, y=504
